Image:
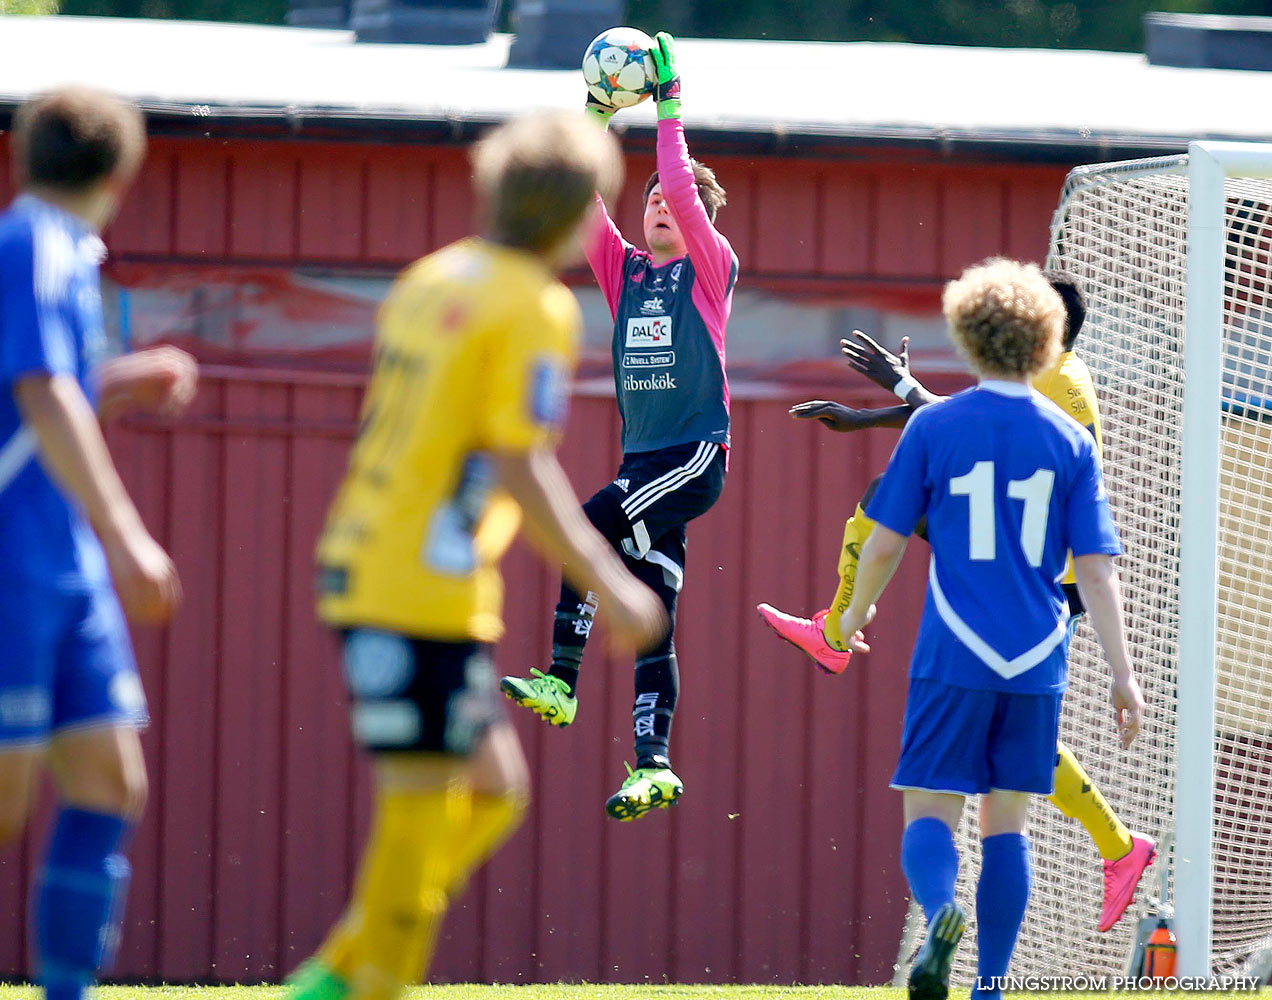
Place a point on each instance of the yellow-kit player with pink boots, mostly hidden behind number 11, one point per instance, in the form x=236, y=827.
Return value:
x=1068, y=384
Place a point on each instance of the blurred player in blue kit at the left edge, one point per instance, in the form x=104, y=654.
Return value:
x=71, y=695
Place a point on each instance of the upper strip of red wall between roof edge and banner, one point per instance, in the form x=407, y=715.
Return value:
x=890, y=227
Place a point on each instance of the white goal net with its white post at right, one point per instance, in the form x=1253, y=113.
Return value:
x=1124, y=231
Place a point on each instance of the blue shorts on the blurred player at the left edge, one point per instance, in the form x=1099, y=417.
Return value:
x=67, y=663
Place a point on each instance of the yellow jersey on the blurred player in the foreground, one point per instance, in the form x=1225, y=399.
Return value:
x=475, y=351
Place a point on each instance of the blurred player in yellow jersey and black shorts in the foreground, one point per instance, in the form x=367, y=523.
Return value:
x=474, y=359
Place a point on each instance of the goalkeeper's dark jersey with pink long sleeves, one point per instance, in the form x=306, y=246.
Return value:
x=670, y=320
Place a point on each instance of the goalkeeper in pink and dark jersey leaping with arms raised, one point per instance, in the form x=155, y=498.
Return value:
x=671, y=306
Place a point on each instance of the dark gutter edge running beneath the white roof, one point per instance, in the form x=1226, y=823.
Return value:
x=826, y=141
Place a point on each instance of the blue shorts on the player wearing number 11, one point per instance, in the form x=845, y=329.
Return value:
x=967, y=742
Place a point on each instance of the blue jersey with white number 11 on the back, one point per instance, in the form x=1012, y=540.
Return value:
x=1009, y=485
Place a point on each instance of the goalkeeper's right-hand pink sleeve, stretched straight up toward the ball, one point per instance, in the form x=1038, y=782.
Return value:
x=709, y=251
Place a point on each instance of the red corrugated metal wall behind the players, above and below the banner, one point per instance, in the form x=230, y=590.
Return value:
x=779, y=866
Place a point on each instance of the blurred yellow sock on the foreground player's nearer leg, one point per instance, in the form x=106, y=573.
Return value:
x=387, y=934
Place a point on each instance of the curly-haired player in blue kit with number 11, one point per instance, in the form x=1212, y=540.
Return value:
x=1009, y=487
